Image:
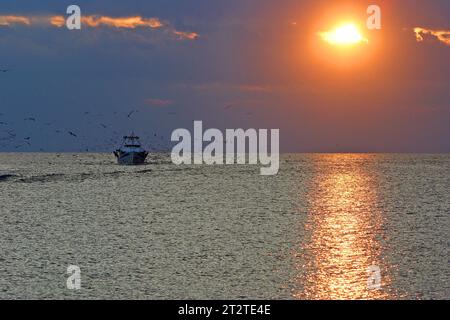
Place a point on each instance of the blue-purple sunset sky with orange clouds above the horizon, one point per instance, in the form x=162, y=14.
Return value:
x=232, y=64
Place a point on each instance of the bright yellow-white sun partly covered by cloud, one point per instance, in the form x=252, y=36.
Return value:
x=345, y=35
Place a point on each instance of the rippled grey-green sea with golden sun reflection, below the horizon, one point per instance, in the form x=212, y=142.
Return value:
x=209, y=232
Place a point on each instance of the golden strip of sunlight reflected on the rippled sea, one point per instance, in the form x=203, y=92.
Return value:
x=344, y=226
